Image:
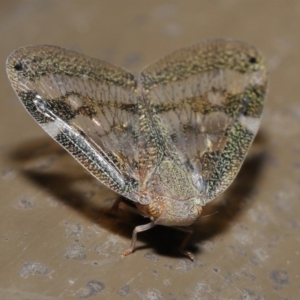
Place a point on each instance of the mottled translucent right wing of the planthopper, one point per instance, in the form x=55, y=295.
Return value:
x=209, y=99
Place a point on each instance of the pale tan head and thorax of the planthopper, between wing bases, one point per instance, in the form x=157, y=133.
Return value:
x=173, y=199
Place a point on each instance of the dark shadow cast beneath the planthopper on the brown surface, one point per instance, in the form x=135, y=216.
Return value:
x=46, y=164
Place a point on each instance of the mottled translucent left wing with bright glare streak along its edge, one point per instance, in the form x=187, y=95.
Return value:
x=88, y=106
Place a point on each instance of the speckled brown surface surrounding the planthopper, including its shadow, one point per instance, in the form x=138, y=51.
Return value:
x=58, y=238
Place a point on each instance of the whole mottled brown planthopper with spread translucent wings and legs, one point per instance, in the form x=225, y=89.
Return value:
x=170, y=140
